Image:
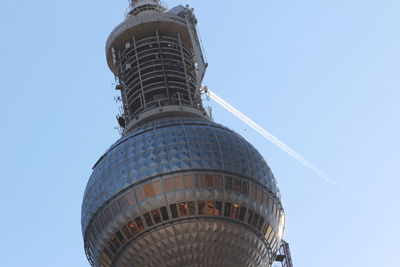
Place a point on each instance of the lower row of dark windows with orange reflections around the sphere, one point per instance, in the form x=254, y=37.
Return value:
x=184, y=209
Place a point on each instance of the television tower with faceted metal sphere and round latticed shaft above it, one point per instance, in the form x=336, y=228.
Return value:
x=177, y=189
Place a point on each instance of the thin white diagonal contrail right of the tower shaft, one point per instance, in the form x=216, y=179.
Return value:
x=277, y=142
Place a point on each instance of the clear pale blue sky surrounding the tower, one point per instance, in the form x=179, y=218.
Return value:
x=323, y=76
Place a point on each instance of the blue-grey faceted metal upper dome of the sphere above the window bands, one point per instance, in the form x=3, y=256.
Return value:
x=171, y=145
